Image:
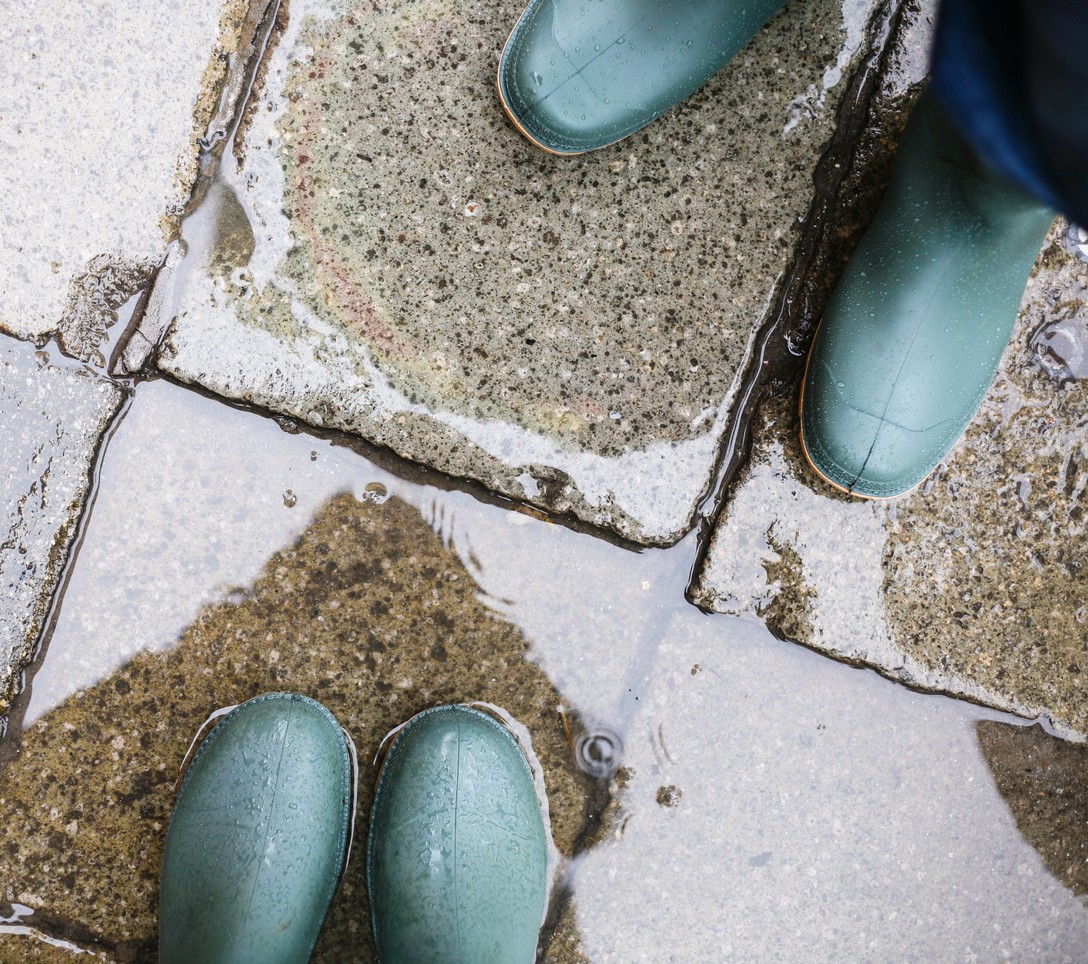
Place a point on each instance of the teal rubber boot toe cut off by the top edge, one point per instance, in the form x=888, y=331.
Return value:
x=580, y=75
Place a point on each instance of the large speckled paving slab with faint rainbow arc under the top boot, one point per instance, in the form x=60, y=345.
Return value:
x=380, y=252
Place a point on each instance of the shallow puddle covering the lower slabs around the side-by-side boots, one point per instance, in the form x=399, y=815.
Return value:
x=736, y=797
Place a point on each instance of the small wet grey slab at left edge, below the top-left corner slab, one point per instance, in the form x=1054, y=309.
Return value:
x=54, y=421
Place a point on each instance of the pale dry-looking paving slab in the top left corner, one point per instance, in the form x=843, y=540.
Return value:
x=101, y=112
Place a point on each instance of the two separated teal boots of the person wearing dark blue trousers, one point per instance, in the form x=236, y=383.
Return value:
x=912, y=337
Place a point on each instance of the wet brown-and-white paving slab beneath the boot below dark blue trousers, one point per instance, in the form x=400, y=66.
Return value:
x=978, y=583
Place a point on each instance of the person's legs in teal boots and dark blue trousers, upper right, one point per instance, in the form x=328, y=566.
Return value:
x=912, y=337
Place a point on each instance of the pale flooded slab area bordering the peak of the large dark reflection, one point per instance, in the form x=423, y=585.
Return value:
x=184, y=520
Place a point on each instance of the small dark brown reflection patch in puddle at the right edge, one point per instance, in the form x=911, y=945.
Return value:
x=1045, y=782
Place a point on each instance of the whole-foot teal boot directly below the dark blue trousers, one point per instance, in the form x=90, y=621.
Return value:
x=913, y=335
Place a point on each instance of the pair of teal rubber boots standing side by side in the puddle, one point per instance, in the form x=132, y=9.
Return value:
x=456, y=856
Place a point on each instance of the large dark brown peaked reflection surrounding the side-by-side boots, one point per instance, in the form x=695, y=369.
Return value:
x=369, y=613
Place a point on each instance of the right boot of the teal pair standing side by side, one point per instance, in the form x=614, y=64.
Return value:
x=458, y=857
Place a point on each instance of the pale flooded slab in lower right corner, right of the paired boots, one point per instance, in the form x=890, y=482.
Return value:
x=861, y=824
